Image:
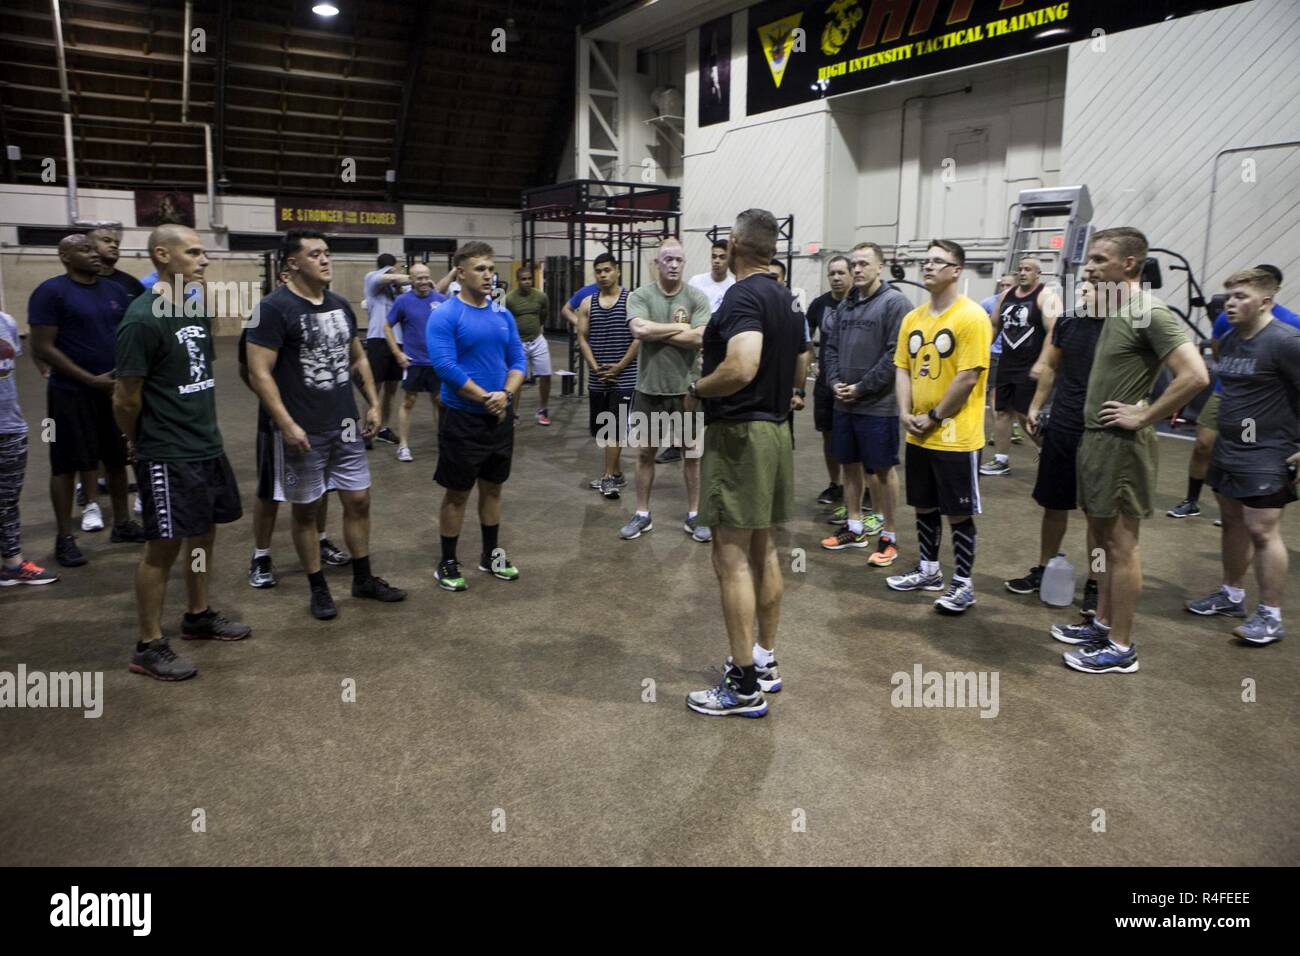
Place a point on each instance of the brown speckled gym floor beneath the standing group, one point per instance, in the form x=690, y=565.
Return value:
x=512, y=724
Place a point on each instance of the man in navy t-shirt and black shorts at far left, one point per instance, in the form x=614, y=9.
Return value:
x=73, y=321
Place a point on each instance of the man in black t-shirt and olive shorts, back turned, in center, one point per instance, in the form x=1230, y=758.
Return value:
x=753, y=360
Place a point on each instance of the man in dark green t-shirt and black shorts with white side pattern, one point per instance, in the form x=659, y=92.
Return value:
x=166, y=405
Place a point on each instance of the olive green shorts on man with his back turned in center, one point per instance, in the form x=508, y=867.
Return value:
x=747, y=475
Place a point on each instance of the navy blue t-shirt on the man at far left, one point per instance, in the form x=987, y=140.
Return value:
x=86, y=318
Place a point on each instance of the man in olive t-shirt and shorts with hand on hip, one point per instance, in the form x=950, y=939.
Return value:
x=1117, y=457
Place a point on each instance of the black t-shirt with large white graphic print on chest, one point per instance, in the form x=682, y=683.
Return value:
x=314, y=367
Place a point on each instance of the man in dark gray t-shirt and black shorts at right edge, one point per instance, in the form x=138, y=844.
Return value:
x=1254, y=465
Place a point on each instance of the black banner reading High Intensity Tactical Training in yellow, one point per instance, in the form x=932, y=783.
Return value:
x=803, y=51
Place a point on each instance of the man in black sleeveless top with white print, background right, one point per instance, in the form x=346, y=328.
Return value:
x=1022, y=322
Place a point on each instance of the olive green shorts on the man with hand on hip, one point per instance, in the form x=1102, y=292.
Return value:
x=1117, y=473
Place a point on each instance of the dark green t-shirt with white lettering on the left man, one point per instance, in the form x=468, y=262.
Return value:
x=174, y=354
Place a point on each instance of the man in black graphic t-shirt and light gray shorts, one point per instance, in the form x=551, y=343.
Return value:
x=302, y=352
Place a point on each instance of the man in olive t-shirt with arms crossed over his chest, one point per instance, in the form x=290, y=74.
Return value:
x=669, y=318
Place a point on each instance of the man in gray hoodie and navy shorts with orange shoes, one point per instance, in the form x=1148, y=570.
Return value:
x=860, y=371
